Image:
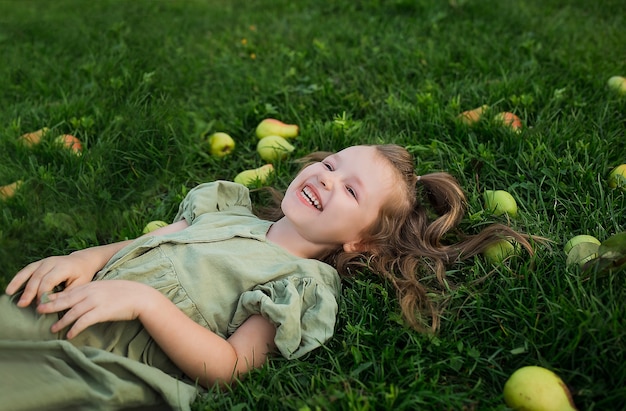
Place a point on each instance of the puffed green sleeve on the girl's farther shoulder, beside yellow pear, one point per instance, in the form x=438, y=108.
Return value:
x=212, y=197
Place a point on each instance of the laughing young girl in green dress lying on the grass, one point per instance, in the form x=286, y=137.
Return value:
x=212, y=295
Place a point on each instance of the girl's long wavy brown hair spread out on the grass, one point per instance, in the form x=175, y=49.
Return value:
x=411, y=240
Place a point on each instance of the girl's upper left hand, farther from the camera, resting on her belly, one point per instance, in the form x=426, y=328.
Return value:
x=42, y=276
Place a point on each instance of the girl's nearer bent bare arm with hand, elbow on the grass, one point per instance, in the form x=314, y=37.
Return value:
x=197, y=351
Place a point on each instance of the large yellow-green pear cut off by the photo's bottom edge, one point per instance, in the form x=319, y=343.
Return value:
x=534, y=388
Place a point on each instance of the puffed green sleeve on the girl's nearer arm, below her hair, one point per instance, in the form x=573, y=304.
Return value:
x=303, y=309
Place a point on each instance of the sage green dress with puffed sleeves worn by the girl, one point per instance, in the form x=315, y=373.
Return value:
x=219, y=271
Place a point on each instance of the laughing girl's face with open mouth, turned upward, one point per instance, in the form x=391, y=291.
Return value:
x=332, y=202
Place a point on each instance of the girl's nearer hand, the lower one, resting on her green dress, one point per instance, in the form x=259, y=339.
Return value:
x=96, y=302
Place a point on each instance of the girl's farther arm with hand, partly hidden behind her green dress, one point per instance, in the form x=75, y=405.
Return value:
x=74, y=269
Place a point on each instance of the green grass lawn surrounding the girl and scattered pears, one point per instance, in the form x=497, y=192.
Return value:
x=142, y=82
